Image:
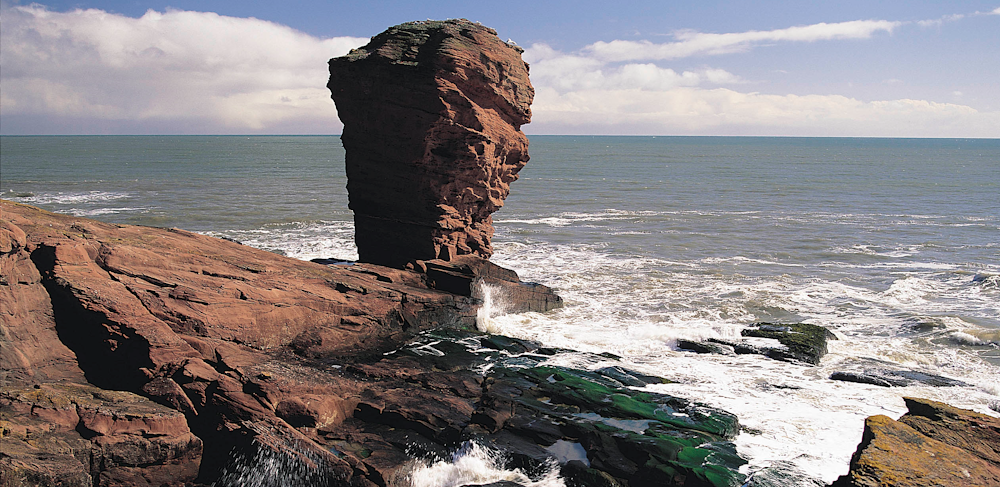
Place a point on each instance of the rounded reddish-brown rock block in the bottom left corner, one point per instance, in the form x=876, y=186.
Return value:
x=76, y=434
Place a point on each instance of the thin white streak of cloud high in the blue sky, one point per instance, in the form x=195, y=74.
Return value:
x=692, y=43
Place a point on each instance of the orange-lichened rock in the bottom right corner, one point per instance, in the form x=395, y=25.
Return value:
x=933, y=444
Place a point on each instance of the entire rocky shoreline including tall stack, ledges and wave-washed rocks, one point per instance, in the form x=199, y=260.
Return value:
x=159, y=357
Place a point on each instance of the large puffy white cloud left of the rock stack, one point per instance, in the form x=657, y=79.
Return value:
x=236, y=74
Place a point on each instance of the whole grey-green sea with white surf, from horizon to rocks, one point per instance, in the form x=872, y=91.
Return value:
x=891, y=244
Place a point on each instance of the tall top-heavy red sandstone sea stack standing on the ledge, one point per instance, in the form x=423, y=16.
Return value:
x=432, y=114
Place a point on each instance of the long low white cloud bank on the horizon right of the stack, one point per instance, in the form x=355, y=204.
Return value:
x=687, y=110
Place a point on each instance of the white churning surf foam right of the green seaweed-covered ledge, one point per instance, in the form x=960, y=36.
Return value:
x=637, y=307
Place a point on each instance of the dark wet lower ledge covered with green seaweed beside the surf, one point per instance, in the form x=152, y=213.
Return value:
x=594, y=424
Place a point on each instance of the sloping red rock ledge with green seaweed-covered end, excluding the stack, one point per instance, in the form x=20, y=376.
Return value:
x=147, y=356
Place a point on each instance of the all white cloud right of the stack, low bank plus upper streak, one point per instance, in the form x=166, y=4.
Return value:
x=617, y=87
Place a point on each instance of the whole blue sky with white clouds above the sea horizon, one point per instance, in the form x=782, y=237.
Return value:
x=773, y=68
